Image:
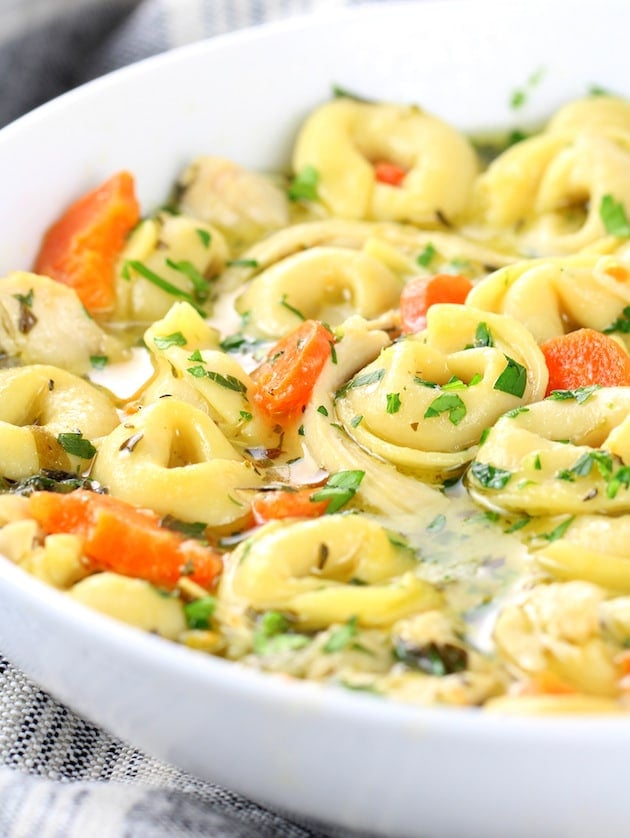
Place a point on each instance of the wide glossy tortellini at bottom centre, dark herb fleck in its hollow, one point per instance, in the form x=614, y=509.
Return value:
x=325, y=571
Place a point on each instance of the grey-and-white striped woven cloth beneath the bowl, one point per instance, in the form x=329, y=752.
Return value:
x=61, y=777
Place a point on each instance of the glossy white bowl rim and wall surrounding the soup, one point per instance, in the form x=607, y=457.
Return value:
x=350, y=759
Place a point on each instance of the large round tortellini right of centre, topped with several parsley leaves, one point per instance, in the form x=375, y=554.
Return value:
x=424, y=402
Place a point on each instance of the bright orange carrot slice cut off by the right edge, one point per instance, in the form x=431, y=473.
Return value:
x=585, y=357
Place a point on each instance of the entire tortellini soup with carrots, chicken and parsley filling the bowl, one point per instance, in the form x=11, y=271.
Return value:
x=365, y=422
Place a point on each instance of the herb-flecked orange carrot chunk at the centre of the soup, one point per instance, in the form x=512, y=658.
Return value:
x=284, y=382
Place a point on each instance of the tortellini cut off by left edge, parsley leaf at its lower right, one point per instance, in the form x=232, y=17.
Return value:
x=49, y=418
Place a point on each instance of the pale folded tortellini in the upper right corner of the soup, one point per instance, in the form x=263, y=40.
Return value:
x=549, y=189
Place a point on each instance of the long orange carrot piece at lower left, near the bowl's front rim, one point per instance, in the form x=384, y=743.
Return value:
x=126, y=540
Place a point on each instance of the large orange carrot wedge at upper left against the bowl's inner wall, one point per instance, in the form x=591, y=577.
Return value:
x=81, y=247
